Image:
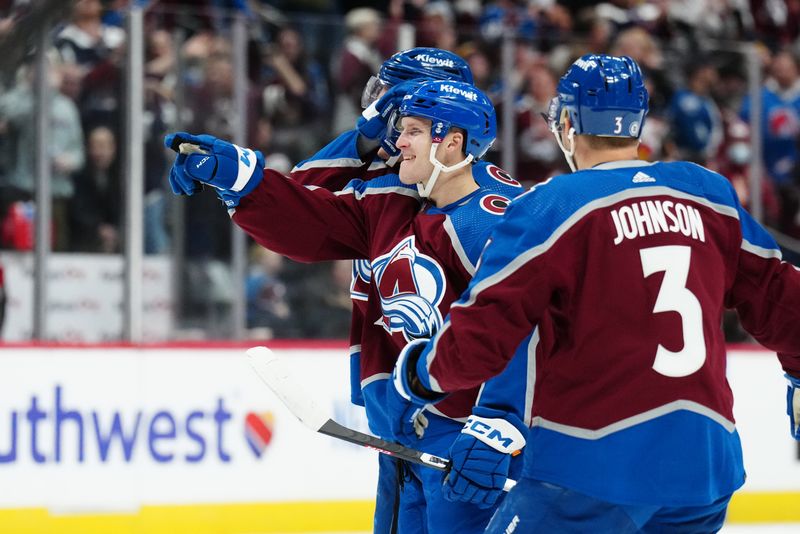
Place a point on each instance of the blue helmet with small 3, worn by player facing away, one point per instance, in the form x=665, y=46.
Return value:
x=603, y=96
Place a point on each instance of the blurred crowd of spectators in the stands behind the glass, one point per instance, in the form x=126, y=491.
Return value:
x=307, y=63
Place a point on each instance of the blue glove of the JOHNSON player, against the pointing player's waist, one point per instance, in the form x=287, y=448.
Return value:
x=407, y=422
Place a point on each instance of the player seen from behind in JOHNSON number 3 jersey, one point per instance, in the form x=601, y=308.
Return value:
x=631, y=265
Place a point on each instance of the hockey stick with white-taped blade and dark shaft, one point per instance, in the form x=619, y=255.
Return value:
x=274, y=372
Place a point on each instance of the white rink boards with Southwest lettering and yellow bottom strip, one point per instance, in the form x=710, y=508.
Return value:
x=189, y=440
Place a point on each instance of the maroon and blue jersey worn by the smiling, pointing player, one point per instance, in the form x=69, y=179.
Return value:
x=420, y=258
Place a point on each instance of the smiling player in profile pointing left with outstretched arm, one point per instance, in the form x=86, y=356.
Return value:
x=421, y=252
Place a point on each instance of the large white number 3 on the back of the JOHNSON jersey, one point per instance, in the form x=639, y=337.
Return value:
x=674, y=296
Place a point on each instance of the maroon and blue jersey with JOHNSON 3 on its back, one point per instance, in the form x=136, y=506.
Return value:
x=617, y=278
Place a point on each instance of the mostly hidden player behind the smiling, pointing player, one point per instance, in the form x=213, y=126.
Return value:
x=368, y=151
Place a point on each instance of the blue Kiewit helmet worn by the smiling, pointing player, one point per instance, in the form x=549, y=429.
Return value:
x=449, y=103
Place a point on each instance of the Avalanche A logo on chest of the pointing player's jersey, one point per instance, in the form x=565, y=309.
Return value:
x=411, y=286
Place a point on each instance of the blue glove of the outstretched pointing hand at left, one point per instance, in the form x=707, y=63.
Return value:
x=204, y=159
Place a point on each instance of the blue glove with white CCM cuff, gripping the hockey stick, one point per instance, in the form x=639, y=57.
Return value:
x=481, y=456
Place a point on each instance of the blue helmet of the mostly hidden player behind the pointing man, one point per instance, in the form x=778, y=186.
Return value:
x=416, y=63
